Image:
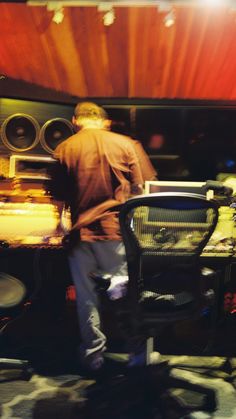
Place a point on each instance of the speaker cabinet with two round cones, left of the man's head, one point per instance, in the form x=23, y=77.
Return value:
x=33, y=127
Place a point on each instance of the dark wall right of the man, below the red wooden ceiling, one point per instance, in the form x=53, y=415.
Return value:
x=204, y=138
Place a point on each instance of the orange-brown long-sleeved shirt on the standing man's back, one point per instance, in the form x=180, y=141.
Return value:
x=101, y=168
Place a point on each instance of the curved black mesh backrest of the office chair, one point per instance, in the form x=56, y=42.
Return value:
x=164, y=234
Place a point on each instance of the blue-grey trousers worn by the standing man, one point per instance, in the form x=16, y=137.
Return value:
x=86, y=257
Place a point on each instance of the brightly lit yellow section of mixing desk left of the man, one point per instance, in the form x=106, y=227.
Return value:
x=28, y=217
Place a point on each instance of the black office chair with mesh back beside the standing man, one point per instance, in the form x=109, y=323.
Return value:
x=164, y=235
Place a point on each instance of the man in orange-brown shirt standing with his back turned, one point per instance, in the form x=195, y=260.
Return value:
x=96, y=171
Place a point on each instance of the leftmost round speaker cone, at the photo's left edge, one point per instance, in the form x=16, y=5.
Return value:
x=20, y=132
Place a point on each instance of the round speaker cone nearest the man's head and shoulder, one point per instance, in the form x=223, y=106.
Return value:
x=53, y=132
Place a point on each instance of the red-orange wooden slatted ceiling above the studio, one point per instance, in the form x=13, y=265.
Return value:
x=135, y=57
